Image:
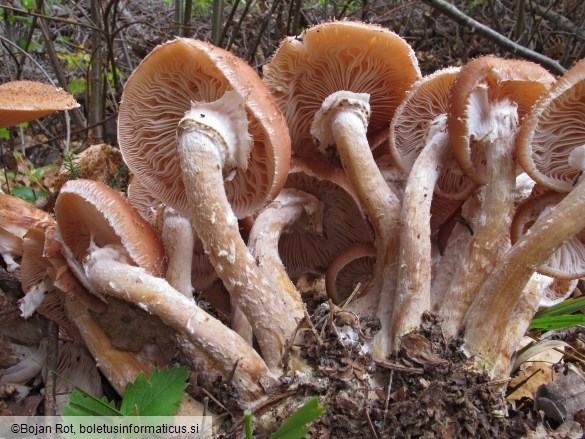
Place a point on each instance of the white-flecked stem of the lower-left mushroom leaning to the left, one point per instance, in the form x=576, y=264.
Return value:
x=227, y=349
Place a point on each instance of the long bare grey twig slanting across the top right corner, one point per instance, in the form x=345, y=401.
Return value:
x=455, y=14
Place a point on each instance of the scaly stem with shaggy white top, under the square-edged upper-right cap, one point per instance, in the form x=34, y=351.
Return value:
x=484, y=247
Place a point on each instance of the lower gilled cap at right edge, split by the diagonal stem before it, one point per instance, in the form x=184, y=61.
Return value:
x=568, y=261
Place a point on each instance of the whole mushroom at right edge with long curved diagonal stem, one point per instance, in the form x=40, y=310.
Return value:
x=487, y=319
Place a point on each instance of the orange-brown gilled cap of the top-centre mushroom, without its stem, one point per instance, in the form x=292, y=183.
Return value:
x=334, y=56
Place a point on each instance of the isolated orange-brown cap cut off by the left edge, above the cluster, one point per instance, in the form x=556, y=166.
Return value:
x=21, y=101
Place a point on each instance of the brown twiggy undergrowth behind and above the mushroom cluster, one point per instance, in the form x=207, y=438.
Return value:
x=90, y=47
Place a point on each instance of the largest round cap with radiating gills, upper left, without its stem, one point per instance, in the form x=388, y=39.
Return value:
x=156, y=97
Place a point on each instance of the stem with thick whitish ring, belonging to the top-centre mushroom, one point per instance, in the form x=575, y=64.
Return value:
x=343, y=121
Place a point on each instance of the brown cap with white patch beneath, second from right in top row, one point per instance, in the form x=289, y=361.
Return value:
x=519, y=81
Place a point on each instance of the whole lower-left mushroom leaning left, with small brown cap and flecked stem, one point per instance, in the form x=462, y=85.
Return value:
x=120, y=255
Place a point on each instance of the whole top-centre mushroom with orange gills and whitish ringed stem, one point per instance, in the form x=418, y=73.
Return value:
x=335, y=84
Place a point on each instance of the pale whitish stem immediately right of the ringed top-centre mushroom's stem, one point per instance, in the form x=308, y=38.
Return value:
x=413, y=293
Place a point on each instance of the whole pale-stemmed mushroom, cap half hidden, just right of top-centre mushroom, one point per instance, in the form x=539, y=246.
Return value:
x=420, y=146
